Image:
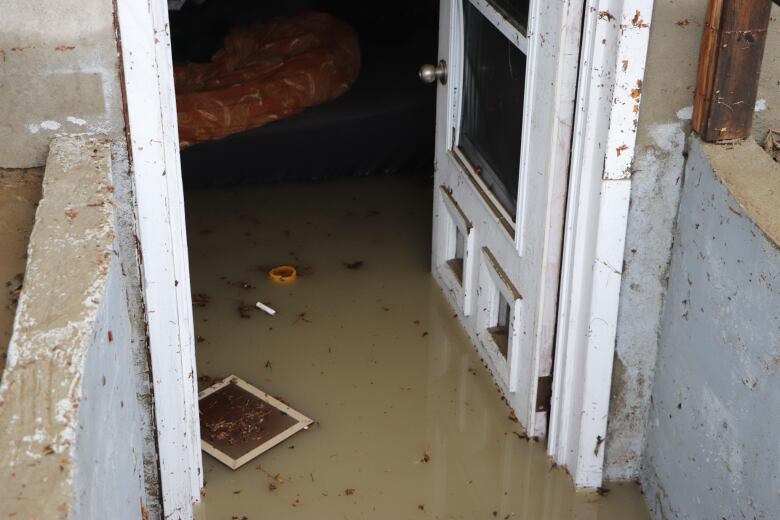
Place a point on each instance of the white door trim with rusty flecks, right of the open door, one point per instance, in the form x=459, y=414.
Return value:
x=612, y=65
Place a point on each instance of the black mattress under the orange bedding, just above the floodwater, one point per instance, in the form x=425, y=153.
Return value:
x=384, y=123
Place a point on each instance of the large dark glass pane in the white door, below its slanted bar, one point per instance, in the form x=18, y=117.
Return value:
x=492, y=112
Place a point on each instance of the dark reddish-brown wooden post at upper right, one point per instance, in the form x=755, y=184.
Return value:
x=729, y=66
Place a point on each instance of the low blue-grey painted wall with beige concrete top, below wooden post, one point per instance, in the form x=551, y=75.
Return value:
x=712, y=443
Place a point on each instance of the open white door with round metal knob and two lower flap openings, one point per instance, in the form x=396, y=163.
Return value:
x=506, y=88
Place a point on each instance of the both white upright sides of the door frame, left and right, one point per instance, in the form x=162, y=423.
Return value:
x=612, y=63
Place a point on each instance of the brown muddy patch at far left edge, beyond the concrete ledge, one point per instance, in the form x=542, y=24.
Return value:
x=20, y=192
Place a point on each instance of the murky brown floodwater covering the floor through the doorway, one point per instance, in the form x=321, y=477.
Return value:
x=409, y=423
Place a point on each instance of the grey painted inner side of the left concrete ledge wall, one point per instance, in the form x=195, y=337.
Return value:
x=109, y=446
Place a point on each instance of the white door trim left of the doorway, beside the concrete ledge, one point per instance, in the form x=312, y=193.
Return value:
x=147, y=76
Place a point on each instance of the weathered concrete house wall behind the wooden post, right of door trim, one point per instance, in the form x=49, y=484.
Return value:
x=664, y=123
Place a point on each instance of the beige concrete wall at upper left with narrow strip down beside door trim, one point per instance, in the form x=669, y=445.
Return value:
x=60, y=75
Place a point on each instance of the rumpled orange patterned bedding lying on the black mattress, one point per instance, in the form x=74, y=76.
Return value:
x=265, y=72
